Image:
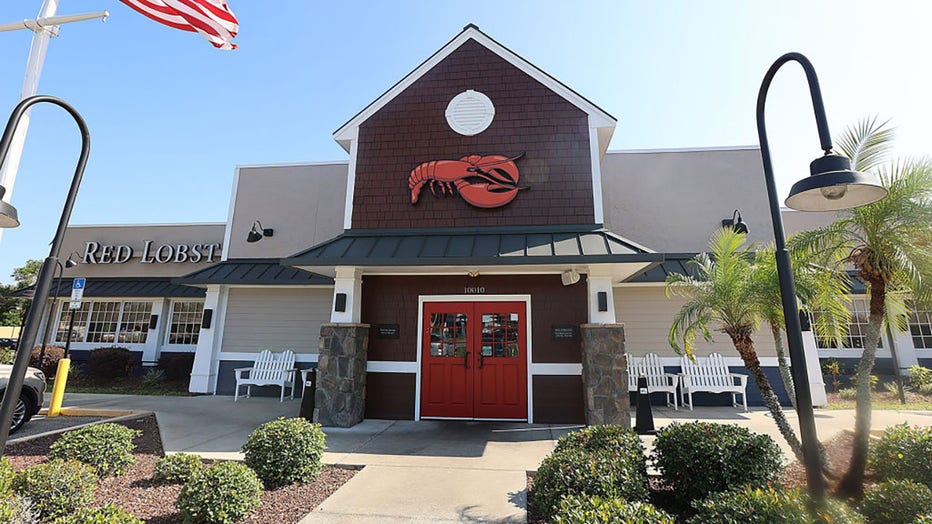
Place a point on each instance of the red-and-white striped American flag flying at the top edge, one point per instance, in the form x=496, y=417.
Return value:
x=211, y=18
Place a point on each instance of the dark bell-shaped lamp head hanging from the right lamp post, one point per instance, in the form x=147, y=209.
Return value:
x=833, y=186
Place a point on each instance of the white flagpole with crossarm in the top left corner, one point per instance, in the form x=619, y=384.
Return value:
x=44, y=27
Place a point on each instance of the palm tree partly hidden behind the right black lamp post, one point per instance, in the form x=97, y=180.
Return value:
x=819, y=286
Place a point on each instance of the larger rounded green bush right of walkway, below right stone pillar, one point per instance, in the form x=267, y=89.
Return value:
x=604, y=462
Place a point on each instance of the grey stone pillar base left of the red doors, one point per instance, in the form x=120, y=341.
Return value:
x=340, y=398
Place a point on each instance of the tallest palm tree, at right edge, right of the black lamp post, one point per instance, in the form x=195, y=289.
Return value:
x=888, y=245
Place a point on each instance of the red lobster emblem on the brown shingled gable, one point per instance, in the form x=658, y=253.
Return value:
x=482, y=181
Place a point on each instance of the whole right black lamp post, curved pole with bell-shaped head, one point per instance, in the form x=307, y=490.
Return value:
x=832, y=186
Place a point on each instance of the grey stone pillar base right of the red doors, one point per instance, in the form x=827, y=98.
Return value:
x=605, y=374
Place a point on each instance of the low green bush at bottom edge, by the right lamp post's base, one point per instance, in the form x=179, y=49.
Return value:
x=768, y=505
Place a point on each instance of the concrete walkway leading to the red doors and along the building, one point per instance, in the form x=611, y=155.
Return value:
x=426, y=471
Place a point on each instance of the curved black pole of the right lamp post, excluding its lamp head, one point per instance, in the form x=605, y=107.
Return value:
x=807, y=428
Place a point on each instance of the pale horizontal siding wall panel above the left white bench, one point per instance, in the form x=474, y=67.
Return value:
x=276, y=318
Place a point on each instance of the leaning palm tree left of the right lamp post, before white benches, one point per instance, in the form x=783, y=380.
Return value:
x=724, y=294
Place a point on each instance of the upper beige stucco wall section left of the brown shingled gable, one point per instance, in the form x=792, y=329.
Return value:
x=302, y=203
